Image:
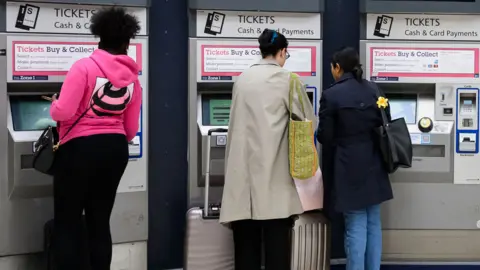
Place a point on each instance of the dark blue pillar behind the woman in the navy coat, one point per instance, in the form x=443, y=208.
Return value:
x=341, y=27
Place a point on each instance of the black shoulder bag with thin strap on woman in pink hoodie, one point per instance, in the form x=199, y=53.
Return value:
x=48, y=143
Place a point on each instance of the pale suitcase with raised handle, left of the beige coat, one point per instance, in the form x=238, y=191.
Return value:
x=208, y=244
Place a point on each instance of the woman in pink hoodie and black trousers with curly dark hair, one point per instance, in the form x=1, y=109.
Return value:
x=101, y=99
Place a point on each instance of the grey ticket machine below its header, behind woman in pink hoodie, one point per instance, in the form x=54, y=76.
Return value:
x=36, y=66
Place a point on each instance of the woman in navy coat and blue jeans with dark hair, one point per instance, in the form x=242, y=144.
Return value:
x=356, y=181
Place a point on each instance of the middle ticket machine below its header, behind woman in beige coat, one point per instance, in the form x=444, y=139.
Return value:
x=213, y=68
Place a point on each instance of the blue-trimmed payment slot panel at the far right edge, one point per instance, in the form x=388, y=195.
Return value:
x=467, y=121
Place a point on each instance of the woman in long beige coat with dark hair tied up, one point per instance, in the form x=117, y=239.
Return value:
x=260, y=197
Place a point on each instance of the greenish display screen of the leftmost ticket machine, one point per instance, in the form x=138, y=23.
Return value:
x=30, y=113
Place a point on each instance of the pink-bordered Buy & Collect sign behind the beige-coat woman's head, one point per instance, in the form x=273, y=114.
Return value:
x=221, y=62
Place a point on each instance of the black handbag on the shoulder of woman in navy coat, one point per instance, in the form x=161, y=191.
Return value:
x=394, y=141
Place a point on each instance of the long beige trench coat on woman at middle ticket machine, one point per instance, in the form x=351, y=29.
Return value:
x=258, y=184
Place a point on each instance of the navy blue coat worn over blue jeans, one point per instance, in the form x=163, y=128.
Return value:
x=352, y=166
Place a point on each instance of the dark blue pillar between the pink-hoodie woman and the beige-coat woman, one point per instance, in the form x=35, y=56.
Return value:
x=167, y=136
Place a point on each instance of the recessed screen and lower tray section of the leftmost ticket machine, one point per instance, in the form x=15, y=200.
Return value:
x=28, y=116
